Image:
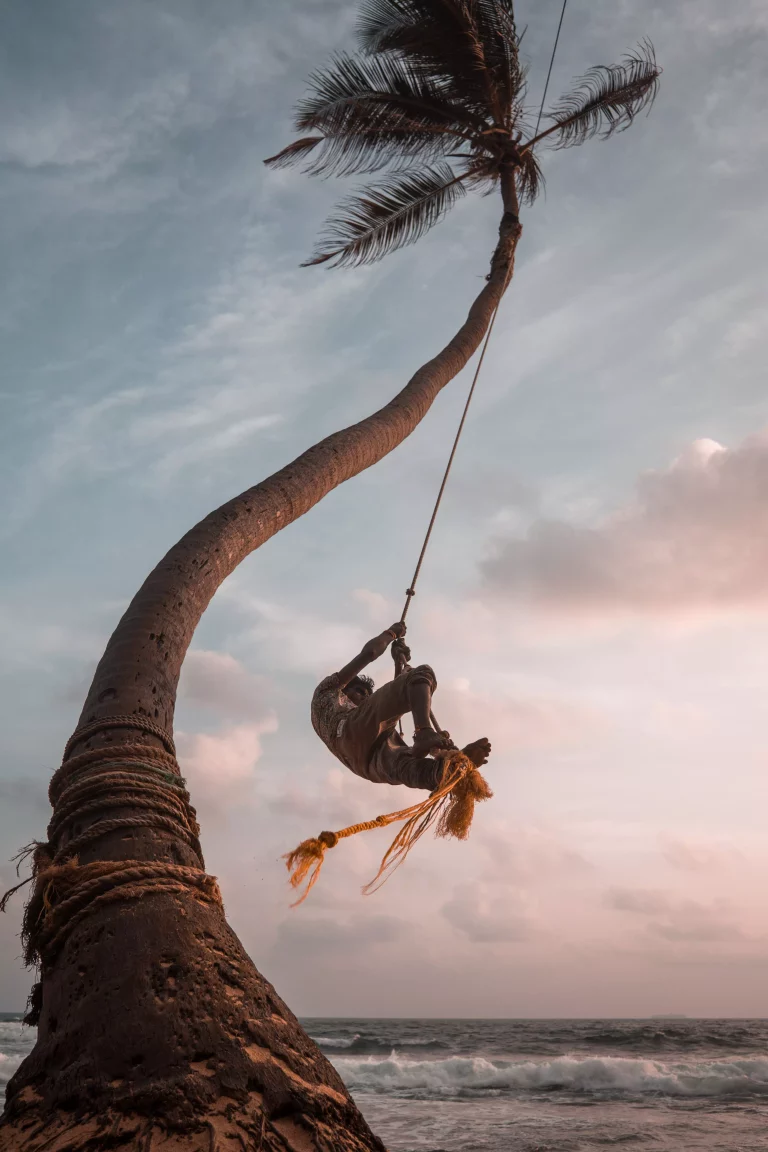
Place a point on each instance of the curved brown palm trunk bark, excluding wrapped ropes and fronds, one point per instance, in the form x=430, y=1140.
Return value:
x=156, y=1030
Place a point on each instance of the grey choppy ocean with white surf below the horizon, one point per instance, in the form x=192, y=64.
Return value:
x=542, y=1086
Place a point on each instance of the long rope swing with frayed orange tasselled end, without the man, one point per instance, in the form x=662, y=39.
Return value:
x=452, y=805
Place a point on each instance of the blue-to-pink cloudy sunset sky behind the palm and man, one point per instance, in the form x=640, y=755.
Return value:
x=596, y=598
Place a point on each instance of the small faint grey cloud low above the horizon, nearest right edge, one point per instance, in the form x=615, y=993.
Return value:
x=678, y=920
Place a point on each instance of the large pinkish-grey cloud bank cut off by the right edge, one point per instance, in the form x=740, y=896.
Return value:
x=695, y=537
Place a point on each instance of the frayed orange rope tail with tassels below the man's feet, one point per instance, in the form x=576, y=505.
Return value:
x=451, y=806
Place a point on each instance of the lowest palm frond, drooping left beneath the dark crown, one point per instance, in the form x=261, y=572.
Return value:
x=386, y=216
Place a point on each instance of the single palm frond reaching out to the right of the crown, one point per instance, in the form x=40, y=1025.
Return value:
x=607, y=98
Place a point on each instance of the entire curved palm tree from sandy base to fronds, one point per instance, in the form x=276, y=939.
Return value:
x=155, y=1027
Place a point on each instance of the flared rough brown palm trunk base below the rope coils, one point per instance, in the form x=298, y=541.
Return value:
x=158, y=1034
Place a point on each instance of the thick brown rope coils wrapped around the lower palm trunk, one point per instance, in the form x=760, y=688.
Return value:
x=116, y=777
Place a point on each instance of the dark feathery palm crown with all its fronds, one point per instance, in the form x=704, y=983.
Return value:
x=437, y=95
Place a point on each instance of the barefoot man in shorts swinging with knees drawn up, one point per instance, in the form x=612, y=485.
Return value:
x=359, y=725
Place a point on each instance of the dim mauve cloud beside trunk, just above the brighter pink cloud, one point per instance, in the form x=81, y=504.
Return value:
x=219, y=683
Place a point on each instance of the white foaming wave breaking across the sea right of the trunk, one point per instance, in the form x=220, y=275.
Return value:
x=605, y=1078
